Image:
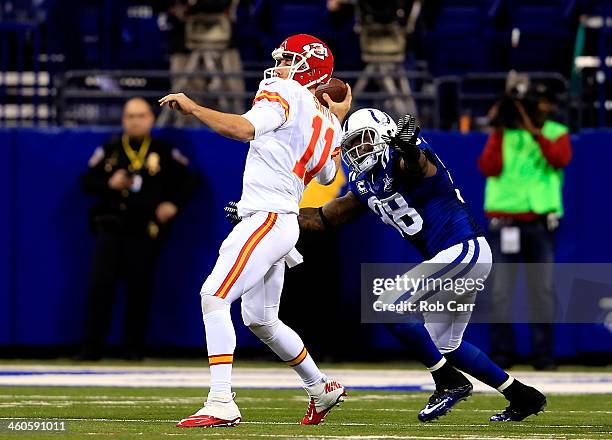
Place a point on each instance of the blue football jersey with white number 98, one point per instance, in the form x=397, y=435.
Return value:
x=431, y=214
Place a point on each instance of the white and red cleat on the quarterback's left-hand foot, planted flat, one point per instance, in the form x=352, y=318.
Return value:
x=219, y=410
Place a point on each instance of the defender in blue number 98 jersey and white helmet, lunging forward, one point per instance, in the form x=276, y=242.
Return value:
x=398, y=176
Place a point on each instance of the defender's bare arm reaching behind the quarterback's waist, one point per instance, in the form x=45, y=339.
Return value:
x=331, y=215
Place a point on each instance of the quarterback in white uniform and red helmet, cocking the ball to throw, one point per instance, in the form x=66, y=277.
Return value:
x=292, y=140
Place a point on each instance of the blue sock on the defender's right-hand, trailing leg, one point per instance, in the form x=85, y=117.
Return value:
x=475, y=362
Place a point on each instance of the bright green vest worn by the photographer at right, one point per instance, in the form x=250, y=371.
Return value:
x=527, y=183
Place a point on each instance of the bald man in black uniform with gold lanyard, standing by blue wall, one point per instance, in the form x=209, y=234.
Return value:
x=140, y=184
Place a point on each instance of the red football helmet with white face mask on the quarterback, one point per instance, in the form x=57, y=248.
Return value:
x=311, y=60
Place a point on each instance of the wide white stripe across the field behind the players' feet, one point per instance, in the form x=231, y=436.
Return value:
x=276, y=378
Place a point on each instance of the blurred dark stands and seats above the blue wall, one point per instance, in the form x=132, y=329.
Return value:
x=448, y=59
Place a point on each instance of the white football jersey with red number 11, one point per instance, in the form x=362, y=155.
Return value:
x=281, y=162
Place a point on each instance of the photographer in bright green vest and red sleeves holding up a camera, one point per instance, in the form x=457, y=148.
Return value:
x=523, y=160
